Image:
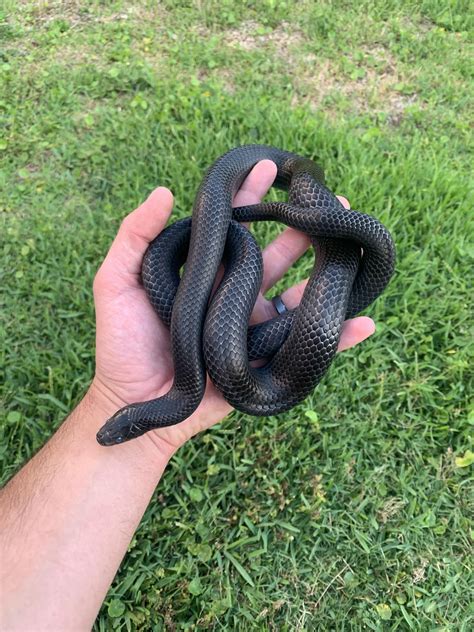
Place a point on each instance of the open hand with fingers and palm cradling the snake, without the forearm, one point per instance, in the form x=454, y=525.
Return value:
x=133, y=356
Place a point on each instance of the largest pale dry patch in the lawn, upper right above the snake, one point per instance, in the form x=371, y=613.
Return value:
x=318, y=82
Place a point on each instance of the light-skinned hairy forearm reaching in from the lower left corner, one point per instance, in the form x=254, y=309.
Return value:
x=66, y=520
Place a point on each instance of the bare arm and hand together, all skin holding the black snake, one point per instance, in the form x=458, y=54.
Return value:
x=68, y=516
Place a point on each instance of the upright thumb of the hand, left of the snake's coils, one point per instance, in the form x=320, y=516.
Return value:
x=137, y=230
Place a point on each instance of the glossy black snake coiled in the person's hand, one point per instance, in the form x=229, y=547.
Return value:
x=354, y=259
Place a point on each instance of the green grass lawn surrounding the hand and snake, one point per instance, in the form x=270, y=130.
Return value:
x=352, y=511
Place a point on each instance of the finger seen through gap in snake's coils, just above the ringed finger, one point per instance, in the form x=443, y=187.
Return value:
x=281, y=254
